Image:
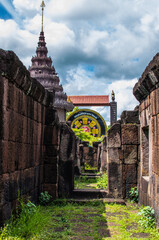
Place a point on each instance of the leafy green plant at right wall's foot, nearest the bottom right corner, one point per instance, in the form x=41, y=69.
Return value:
x=147, y=217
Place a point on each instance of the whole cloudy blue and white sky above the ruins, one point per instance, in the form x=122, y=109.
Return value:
x=96, y=45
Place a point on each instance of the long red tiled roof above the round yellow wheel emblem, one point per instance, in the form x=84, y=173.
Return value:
x=96, y=100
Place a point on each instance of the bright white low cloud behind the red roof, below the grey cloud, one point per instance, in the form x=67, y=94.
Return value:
x=82, y=82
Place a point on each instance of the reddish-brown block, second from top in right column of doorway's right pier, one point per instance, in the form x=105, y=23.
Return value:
x=129, y=134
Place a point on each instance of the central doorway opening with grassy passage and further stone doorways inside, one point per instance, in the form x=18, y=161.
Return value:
x=88, y=175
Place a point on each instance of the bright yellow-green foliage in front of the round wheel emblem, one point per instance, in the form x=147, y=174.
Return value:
x=86, y=136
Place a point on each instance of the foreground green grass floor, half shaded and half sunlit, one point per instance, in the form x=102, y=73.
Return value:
x=66, y=221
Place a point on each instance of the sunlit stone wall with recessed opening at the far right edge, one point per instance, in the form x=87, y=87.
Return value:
x=147, y=93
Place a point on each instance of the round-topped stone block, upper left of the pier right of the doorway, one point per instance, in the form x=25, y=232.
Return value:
x=114, y=136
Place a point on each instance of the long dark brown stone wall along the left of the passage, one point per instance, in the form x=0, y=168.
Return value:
x=31, y=139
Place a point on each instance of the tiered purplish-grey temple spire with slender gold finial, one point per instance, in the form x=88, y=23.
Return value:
x=43, y=70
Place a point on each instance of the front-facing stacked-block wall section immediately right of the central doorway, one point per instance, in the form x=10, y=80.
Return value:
x=122, y=154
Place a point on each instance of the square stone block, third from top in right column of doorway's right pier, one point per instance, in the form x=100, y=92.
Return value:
x=130, y=154
